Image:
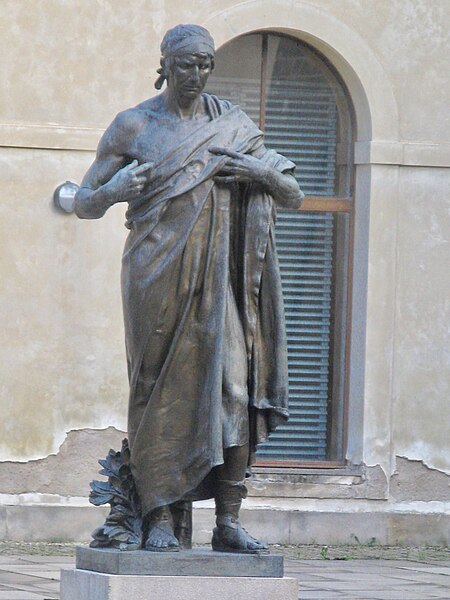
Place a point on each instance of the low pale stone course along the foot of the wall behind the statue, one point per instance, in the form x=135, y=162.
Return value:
x=49, y=523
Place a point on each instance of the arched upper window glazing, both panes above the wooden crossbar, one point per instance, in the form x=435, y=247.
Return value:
x=307, y=115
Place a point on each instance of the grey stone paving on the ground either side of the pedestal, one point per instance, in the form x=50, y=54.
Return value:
x=29, y=578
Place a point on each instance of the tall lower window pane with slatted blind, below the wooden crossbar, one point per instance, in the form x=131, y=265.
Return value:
x=312, y=252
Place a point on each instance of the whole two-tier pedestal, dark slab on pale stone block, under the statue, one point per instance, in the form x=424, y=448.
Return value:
x=187, y=575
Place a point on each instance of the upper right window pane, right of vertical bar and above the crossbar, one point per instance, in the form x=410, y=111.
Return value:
x=301, y=119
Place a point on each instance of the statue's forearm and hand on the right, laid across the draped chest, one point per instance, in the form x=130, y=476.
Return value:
x=283, y=187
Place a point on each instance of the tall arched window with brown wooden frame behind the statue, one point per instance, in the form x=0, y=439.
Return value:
x=297, y=99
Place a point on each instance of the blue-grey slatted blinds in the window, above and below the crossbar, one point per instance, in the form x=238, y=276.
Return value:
x=301, y=124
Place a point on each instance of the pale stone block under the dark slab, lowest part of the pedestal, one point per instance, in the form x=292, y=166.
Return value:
x=77, y=584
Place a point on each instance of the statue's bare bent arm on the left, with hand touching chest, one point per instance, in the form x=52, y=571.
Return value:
x=113, y=177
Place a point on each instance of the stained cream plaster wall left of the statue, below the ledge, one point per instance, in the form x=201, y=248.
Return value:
x=61, y=340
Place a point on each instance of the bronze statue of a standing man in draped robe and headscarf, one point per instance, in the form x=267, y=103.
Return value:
x=202, y=302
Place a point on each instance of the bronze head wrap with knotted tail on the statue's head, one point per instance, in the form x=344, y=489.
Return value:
x=184, y=39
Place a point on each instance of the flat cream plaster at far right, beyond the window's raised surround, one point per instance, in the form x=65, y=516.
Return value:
x=421, y=362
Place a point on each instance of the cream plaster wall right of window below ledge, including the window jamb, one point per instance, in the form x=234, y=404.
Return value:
x=407, y=375
